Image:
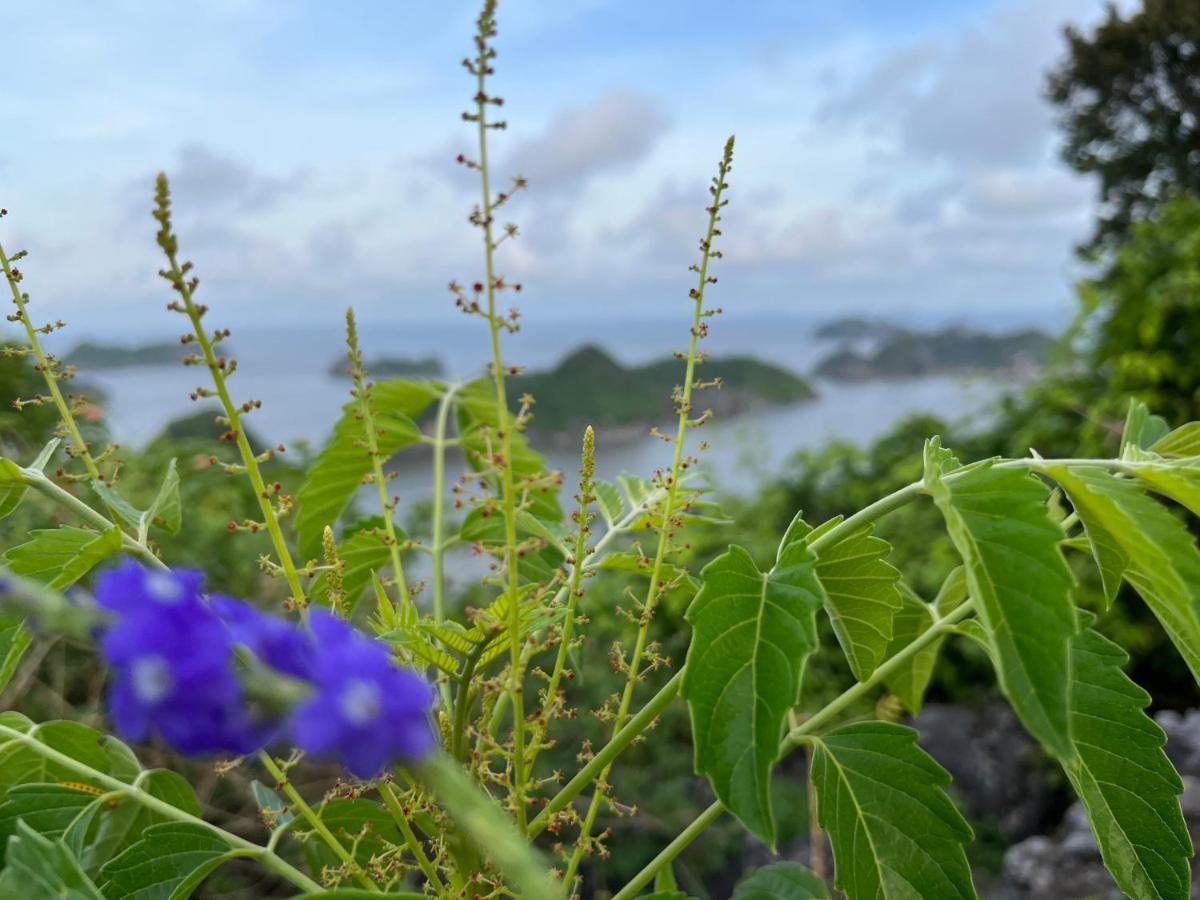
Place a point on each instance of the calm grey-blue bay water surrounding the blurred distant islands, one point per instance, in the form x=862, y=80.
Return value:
x=287, y=371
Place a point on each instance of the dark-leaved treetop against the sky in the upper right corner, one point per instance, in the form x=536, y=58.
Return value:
x=1130, y=95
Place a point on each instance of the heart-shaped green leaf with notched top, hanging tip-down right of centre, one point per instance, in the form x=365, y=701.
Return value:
x=753, y=633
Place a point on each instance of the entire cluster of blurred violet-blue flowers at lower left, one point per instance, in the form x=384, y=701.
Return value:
x=172, y=652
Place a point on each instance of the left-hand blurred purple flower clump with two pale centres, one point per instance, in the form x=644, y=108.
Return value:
x=172, y=661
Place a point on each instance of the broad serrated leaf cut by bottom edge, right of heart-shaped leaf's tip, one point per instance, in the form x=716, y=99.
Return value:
x=895, y=832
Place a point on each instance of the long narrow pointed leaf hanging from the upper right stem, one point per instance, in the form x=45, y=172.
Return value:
x=1022, y=587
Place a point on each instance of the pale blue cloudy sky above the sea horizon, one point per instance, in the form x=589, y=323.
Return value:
x=892, y=159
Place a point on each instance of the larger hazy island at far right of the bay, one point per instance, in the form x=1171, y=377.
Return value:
x=907, y=353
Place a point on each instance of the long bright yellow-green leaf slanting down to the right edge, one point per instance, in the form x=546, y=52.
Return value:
x=1151, y=549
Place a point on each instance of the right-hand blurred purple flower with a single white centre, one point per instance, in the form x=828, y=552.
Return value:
x=365, y=710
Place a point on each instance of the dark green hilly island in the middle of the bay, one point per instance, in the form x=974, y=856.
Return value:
x=591, y=388
